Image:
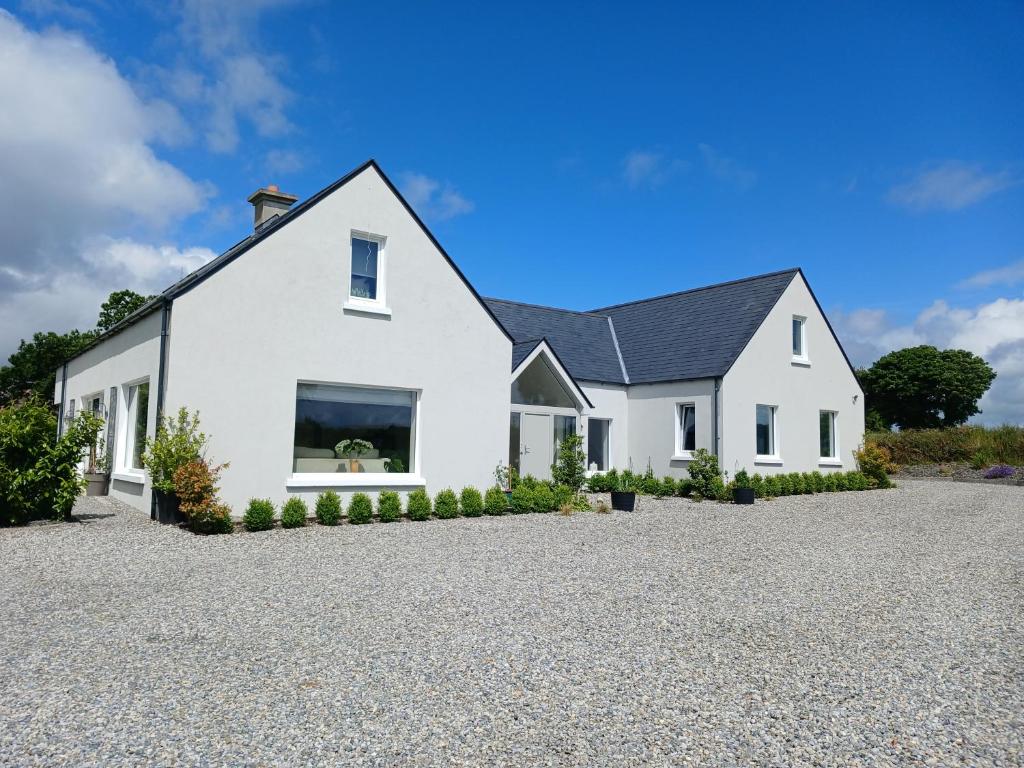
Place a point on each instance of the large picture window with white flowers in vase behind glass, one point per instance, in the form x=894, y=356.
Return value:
x=354, y=430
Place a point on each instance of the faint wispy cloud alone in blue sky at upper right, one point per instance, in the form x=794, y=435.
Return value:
x=950, y=187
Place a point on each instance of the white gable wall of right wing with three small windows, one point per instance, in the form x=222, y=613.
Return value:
x=765, y=374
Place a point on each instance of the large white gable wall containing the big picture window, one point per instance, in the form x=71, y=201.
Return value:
x=242, y=340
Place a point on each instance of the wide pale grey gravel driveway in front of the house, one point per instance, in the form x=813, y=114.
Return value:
x=882, y=628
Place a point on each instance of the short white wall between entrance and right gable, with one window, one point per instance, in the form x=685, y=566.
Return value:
x=653, y=423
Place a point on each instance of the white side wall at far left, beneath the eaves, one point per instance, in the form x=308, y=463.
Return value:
x=127, y=357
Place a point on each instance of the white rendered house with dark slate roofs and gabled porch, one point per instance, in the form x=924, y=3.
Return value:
x=344, y=318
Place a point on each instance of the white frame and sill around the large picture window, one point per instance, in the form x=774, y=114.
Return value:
x=363, y=480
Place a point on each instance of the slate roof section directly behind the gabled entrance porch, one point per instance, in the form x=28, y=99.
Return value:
x=583, y=342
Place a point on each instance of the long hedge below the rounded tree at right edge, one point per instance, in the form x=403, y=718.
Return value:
x=1002, y=445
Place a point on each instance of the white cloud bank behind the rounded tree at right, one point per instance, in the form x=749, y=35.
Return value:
x=994, y=330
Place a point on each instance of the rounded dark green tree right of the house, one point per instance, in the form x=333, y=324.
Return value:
x=924, y=388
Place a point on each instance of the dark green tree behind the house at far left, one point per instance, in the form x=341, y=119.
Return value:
x=32, y=370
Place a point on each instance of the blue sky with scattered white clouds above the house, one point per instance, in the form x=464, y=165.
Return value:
x=578, y=157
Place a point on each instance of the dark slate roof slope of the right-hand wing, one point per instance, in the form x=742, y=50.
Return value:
x=695, y=334
